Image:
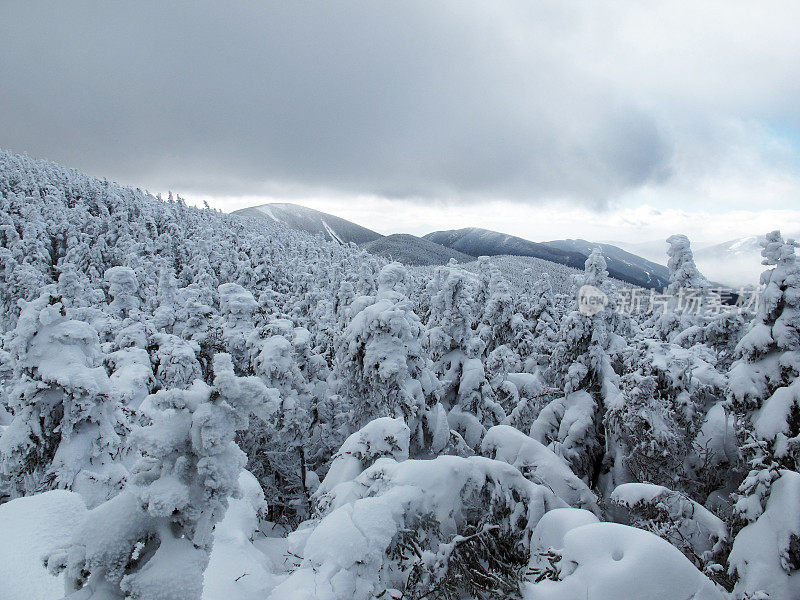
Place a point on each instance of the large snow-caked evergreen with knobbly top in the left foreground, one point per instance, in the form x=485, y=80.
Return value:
x=152, y=541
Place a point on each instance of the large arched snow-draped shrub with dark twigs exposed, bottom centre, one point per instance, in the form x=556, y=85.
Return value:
x=450, y=526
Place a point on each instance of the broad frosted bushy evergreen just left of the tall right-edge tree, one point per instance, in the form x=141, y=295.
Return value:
x=667, y=393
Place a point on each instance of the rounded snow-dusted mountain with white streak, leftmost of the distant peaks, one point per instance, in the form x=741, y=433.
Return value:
x=311, y=221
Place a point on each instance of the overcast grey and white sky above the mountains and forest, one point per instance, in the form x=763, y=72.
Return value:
x=606, y=120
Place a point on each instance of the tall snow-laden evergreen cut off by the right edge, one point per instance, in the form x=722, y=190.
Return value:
x=764, y=393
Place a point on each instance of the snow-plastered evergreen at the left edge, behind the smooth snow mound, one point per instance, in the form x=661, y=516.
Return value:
x=67, y=424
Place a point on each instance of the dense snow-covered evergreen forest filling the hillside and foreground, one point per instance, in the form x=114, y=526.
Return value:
x=195, y=405
